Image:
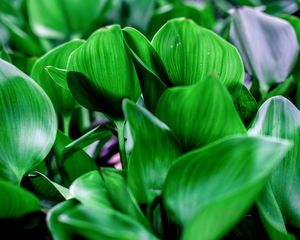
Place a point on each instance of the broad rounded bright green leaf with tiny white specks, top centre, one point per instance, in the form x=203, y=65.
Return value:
x=192, y=53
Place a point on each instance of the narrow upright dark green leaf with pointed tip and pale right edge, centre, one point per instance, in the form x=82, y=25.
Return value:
x=154, y=149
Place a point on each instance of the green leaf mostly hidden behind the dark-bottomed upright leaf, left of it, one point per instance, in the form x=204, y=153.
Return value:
x=62, y=100
